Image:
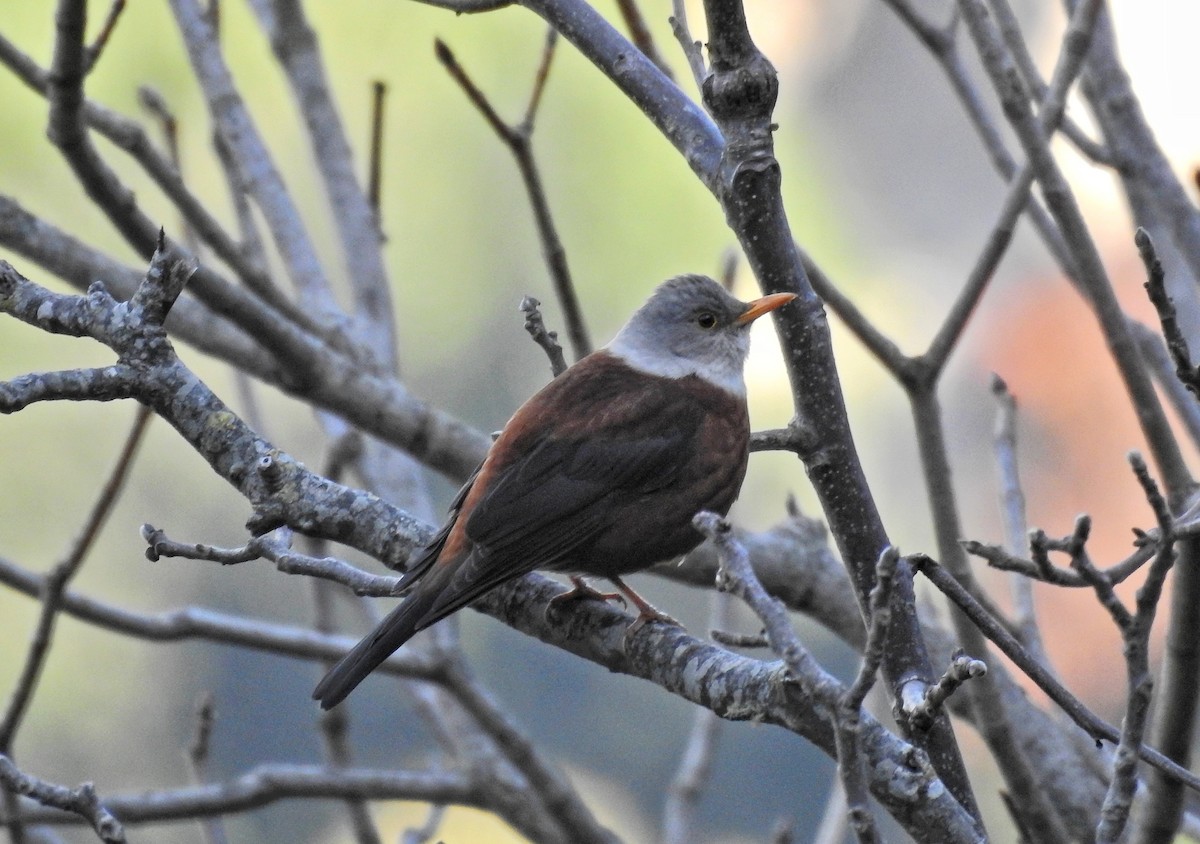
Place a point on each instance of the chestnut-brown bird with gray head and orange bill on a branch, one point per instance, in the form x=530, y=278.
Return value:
x=599, y=474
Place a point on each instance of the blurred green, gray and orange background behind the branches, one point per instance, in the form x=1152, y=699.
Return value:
x=887, y=188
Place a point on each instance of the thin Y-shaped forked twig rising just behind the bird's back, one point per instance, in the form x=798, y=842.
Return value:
x=518, y=140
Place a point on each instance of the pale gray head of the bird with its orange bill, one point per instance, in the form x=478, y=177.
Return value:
x=692, y=326
